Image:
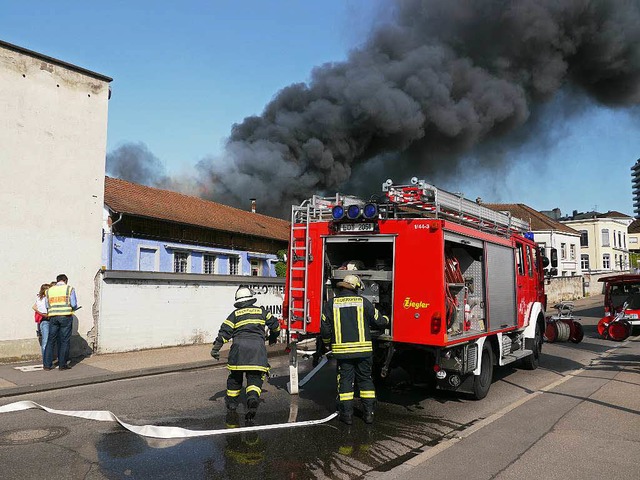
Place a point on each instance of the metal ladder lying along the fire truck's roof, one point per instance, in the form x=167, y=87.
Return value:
x=440, y=203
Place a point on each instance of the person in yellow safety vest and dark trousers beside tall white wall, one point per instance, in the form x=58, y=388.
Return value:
x=61, y=302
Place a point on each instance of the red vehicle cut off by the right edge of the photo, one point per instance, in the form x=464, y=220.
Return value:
x=621, y=306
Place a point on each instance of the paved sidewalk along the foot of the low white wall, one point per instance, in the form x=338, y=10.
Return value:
x=28, y=377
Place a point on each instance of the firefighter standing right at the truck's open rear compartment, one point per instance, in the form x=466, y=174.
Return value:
x=346, y=325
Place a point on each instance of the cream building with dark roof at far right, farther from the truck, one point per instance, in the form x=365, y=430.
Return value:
x=603, y=240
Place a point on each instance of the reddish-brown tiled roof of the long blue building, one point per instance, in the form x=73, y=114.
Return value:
x=134, y=199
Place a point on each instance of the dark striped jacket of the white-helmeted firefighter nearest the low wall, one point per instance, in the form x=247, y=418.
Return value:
x=246, y=326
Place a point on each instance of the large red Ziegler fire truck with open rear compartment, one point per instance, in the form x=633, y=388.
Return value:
x=462, y=284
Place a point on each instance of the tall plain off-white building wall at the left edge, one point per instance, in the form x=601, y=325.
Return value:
x=53, y=129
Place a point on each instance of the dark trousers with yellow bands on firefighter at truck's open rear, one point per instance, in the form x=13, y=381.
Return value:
x=354, y=372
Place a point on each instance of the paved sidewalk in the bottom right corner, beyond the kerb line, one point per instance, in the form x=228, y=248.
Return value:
x=583, y=426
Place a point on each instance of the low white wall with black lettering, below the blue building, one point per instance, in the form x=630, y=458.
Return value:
x=141, y=310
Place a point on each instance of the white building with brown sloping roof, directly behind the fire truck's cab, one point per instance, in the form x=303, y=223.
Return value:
x=549, y=234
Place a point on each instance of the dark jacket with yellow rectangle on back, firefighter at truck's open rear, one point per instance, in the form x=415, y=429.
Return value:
x=346, y=324
